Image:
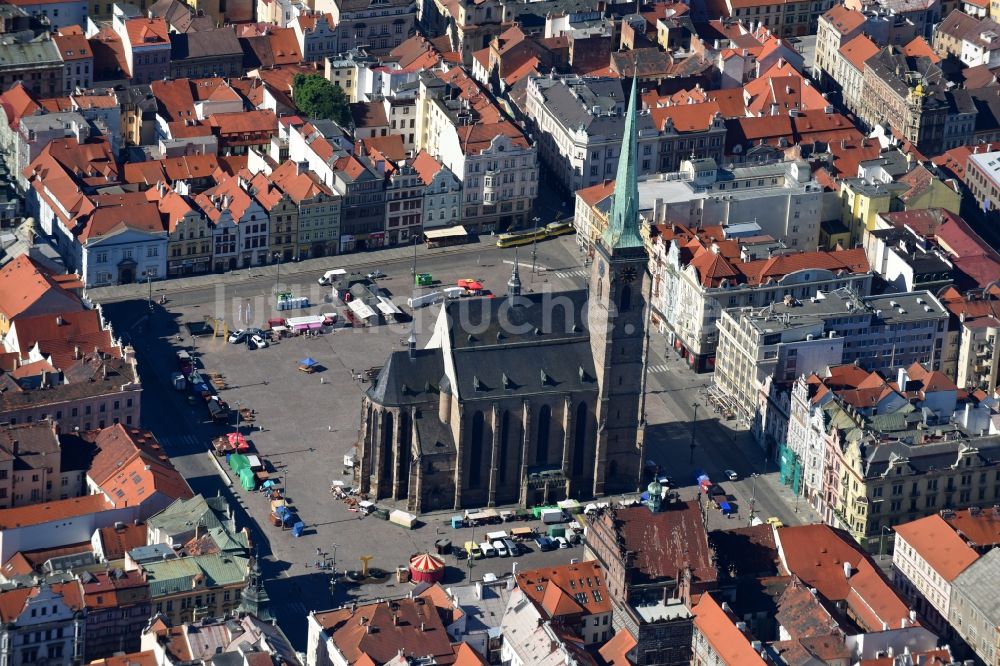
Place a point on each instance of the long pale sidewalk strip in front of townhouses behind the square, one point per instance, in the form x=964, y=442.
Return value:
x=395, y=254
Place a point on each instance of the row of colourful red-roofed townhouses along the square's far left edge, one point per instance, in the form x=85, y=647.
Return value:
x=271, y=212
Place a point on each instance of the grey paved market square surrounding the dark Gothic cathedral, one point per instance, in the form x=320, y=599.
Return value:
x=305, y=424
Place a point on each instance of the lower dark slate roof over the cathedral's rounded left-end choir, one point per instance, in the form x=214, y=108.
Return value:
x=408, y=381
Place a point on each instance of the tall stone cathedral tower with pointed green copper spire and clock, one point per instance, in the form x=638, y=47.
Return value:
x=618, y=314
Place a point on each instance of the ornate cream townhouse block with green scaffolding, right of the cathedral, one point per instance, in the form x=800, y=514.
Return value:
x=870, y=452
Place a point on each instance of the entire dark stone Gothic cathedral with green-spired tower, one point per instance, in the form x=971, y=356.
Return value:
x=526, y=399
